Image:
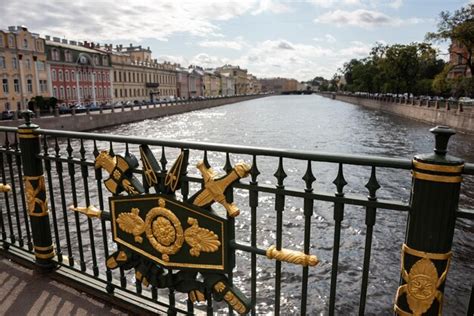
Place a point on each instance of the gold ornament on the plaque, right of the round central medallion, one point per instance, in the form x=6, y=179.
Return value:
x=200, y=239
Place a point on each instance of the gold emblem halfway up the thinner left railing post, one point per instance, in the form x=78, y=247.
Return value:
x=35, y=195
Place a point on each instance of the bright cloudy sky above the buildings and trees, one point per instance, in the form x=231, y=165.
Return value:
x=287, y=38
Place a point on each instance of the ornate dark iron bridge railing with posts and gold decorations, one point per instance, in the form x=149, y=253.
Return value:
x=62, y=167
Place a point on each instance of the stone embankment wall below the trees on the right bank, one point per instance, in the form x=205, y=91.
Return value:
x=452, y=114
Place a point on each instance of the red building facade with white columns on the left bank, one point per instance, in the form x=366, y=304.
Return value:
x=78, y=73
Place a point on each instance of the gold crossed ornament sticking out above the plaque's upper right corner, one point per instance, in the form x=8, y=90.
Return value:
x=214, y=188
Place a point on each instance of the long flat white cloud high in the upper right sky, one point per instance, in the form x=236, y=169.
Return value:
x=363, y=18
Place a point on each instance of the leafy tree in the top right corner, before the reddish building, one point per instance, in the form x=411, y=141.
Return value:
x=458, y=27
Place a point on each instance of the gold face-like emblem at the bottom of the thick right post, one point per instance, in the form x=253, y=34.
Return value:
x=422, y=281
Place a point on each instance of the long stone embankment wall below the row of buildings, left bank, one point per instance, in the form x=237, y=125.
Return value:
x=96, y=120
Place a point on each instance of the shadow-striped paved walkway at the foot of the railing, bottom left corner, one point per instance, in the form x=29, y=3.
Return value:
x=25, y=292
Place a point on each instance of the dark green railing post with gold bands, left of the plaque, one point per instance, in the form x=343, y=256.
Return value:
x=35, y=192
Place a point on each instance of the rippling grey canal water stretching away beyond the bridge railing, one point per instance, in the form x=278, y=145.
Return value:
x=315, y=123
